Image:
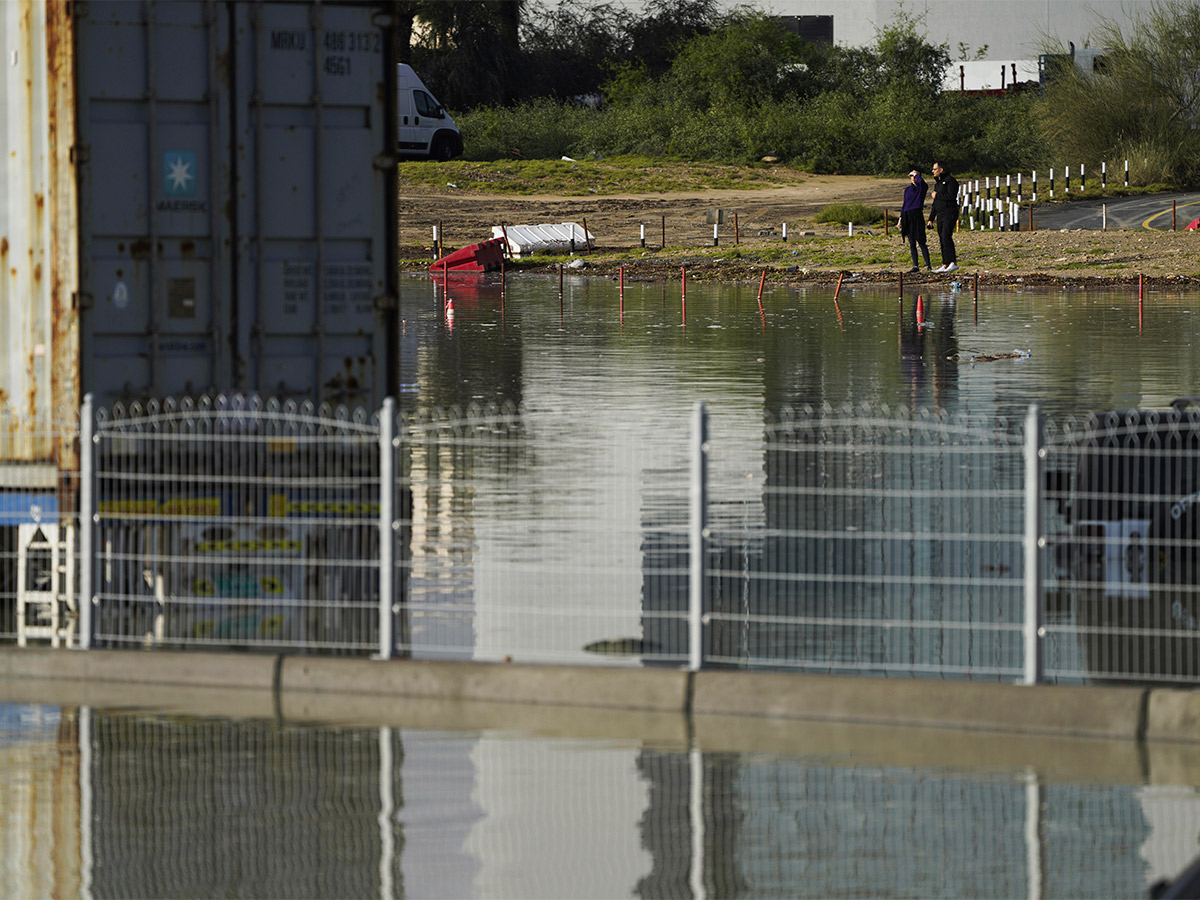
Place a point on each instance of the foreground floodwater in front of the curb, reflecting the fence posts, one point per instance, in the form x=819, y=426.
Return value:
x=127, y=803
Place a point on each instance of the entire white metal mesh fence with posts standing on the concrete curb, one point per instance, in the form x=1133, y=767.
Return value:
x=851, y=541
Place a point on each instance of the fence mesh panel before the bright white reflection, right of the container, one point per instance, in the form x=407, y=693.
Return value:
x=514, y=556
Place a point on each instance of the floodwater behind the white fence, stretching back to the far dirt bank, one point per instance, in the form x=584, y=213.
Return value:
x=561, y=544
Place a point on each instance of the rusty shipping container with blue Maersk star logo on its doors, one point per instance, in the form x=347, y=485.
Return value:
x=196, y=197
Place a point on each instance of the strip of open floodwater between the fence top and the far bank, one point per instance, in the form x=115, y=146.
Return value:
x=656, y=352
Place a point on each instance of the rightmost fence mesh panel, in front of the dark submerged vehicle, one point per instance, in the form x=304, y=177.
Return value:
x=1125, y=556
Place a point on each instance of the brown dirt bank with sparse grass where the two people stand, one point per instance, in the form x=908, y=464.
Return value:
x=751, y=238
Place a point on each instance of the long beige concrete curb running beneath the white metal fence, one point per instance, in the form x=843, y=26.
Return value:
x=305, y=687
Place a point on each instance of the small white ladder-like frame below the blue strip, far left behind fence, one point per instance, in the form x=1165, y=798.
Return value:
x=46, y=584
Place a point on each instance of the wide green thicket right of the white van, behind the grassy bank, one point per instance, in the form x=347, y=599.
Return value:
x=847, y=113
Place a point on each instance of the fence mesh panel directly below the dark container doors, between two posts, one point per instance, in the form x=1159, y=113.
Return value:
x=238, y=521
